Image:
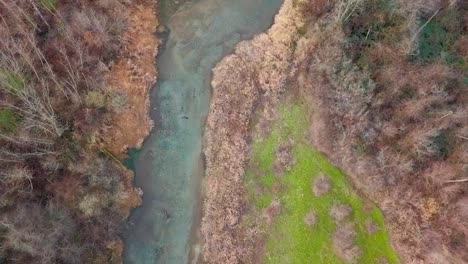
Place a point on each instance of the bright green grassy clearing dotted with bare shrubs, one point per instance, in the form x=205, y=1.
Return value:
x=289, y=238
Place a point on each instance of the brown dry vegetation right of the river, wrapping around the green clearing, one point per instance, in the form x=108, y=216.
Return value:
x=407, y=160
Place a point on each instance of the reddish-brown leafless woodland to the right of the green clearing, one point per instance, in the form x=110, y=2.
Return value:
x=390, y=88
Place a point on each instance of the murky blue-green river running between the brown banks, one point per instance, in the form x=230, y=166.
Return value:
x=168, y=168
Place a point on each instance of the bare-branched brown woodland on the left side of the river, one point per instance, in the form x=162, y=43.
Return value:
x=63, y=196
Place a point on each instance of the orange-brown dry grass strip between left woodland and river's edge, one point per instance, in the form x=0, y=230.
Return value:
x=134, y=74
